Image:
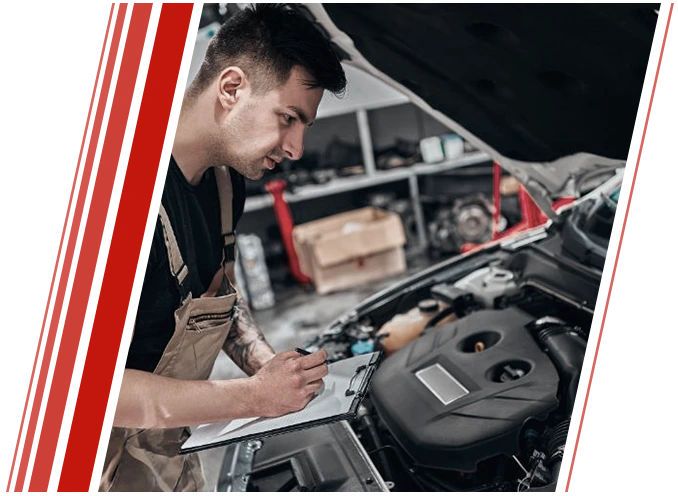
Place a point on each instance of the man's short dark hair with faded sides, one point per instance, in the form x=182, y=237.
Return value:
x=266, y=41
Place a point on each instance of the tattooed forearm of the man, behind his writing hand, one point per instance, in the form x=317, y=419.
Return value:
x=245, y=344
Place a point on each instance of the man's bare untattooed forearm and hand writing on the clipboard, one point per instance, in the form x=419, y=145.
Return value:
x=284, y=385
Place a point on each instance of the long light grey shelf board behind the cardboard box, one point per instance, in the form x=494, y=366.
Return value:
x=345, y=184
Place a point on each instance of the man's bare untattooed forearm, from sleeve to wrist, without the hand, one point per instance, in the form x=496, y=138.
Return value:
x=147, y=401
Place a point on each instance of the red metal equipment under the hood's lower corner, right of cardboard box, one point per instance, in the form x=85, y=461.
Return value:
x=531, y=214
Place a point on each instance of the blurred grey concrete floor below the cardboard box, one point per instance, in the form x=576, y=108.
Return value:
x=299, y=314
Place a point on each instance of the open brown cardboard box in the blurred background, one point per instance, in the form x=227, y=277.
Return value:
x=350, y=249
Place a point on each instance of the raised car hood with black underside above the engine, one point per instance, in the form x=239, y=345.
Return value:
x=551, y=91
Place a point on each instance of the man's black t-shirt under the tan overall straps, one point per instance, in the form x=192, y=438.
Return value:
x=195, y=216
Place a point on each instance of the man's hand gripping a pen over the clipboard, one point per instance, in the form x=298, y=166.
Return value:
x=288, y=382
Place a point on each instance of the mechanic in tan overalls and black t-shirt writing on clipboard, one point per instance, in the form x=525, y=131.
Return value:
x=256, y=93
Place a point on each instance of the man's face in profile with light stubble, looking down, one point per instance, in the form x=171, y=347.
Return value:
x=263, y=129
